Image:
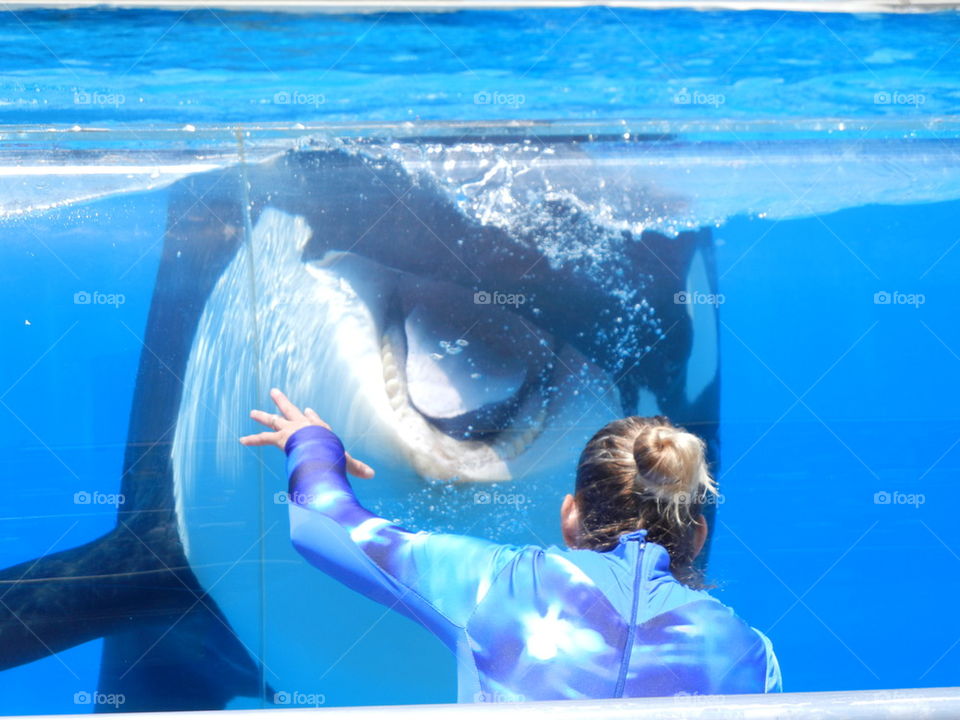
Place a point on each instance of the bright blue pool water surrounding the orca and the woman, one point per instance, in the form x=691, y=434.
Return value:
x=829, y=400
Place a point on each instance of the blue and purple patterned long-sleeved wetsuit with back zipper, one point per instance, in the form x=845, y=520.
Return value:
x=527, y=623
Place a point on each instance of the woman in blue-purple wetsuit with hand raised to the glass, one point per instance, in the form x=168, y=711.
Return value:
x=617, y=614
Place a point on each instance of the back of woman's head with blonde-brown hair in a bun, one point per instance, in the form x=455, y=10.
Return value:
x=644, y=472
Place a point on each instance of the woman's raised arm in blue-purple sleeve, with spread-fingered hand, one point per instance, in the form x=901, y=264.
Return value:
x=434, y=578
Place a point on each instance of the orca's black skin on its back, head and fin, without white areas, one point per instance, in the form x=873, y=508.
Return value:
x=167, y=645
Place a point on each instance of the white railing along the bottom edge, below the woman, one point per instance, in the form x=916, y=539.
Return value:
x=912, y=704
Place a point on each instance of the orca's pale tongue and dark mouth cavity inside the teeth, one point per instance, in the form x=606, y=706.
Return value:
x=469, y=366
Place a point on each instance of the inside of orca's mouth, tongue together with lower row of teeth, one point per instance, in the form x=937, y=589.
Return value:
x=465, y=378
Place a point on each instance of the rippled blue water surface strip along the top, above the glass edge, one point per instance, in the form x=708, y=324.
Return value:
x=586, y=63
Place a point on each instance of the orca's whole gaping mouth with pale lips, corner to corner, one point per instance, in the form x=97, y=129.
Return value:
x=470, y=383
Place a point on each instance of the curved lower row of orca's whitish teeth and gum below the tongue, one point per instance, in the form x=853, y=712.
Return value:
x=437, y=455
